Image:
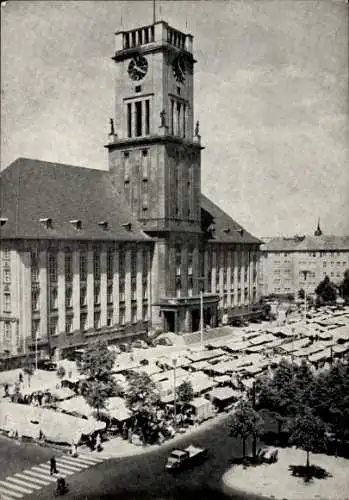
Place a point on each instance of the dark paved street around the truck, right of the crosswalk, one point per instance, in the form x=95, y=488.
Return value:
x=144, y=476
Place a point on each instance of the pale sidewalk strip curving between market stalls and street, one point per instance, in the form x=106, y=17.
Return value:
x=118, y=447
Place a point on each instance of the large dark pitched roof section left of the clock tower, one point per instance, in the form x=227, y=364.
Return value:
x=31, y=190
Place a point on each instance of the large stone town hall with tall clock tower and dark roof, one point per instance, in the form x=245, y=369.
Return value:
x=111, y=254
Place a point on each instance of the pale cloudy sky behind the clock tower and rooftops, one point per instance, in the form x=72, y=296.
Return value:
x=271, y=95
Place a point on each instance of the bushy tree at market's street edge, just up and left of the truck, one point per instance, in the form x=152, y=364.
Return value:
x=142, y=399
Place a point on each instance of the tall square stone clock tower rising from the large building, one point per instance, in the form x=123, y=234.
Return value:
x=155, y=153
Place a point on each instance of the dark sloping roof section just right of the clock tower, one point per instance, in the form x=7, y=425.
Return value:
x=224, y=228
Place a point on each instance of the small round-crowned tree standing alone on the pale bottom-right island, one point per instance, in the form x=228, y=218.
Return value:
x=307, y=431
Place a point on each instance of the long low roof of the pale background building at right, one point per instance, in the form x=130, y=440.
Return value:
x=306, y=243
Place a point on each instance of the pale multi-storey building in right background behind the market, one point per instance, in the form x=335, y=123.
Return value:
x=301, y=262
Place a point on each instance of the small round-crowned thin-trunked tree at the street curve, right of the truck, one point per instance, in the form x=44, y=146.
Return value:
x=245, y=422
